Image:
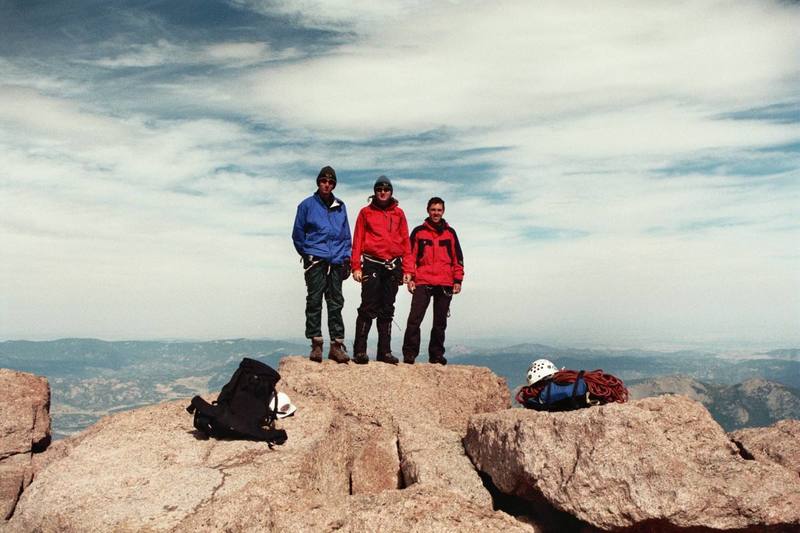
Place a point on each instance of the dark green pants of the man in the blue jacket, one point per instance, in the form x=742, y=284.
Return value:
x=323, y=279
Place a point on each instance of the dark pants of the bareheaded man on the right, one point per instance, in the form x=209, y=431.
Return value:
x=419, y=305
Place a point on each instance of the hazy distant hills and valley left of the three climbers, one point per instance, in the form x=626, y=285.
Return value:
x=90, y=378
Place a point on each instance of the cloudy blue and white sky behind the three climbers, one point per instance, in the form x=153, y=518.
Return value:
x=622, y=173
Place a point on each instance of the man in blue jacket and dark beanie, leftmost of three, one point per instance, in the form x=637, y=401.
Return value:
x=321, y=236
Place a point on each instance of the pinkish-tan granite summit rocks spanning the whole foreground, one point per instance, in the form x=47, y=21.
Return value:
x=411, y=448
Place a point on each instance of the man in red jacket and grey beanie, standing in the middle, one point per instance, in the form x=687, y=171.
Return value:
x=381, y=263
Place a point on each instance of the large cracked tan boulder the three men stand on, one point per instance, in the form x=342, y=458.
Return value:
x=373, y=447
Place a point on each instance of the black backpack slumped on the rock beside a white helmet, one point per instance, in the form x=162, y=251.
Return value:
x=242, y=410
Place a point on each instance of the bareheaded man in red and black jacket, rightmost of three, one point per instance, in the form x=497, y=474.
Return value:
x=438, y=273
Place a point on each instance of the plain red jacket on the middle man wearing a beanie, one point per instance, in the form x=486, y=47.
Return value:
x=383, y=234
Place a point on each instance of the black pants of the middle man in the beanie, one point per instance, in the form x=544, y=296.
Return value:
x=378, y=291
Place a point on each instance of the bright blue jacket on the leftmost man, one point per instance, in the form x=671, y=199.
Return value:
x=322, y=231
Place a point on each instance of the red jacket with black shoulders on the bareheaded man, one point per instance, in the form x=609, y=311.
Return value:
x=439, y=260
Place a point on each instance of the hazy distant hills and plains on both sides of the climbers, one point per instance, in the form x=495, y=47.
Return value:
x=91, y=378
